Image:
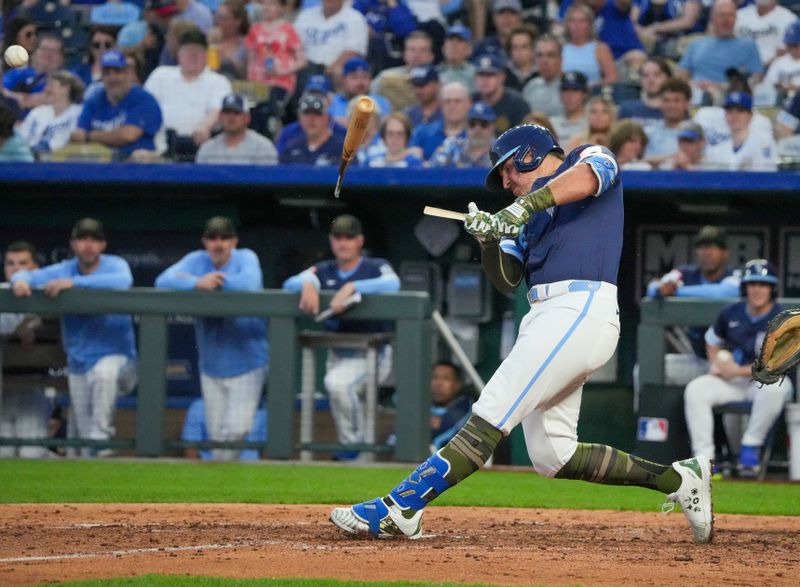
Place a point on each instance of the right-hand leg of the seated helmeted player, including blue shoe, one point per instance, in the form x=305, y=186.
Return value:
x=768, y=401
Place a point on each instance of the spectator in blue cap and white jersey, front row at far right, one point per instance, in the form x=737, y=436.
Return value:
x=746, y=149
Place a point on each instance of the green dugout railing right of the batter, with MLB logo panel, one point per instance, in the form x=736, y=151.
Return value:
x=661, y=404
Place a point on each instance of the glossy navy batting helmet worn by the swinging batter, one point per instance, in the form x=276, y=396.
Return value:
x=519, y=142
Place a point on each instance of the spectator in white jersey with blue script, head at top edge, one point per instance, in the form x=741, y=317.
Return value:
x=332, y=33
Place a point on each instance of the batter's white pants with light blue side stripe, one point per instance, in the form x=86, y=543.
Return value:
x=571, y=332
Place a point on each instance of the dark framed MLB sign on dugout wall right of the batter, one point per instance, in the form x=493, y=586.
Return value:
x=662, y=248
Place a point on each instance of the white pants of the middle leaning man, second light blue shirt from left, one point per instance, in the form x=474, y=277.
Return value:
x=231, y=404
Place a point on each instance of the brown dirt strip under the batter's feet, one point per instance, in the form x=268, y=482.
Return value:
x=47, y=543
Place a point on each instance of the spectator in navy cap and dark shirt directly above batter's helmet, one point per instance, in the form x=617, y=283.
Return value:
x=509, y=106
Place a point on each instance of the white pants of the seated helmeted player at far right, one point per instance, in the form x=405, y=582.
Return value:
x=707, y=391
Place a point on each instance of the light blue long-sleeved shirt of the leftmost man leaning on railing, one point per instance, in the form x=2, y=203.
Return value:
x=87, y=338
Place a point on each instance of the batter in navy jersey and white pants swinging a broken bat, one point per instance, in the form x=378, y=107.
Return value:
x=563, y=235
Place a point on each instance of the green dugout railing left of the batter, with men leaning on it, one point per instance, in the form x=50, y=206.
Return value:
x=409, y=311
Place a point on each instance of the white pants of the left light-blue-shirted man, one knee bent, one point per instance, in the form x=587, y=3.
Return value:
x=93, y=397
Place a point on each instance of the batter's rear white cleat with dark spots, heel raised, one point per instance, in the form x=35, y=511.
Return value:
x=694, y=496
